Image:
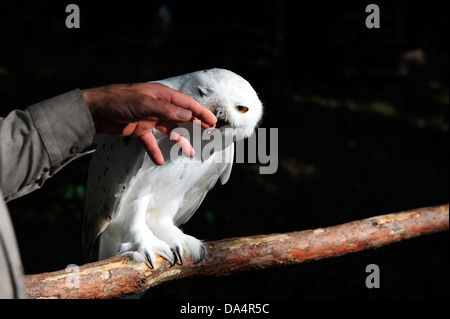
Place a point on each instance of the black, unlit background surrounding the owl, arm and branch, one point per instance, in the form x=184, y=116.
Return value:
x=362, y=117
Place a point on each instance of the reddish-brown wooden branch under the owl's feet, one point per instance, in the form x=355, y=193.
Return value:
x=119, y=276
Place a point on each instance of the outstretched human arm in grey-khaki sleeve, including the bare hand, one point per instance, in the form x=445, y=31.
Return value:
x=37, y=142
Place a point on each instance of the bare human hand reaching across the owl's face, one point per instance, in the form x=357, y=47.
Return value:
x=137, y=109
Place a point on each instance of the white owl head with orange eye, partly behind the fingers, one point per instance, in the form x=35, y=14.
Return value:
x=229, y=96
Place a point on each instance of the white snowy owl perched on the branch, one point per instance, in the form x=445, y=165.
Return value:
x=135, y=206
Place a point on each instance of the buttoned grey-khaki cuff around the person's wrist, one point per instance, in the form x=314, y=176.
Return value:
x=65, y=126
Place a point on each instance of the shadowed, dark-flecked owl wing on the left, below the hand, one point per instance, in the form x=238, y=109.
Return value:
x=111, y=171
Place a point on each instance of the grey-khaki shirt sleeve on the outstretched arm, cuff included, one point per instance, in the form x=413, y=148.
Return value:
x=37, y=142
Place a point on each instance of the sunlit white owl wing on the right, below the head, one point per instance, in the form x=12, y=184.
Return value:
x=194, y=197
